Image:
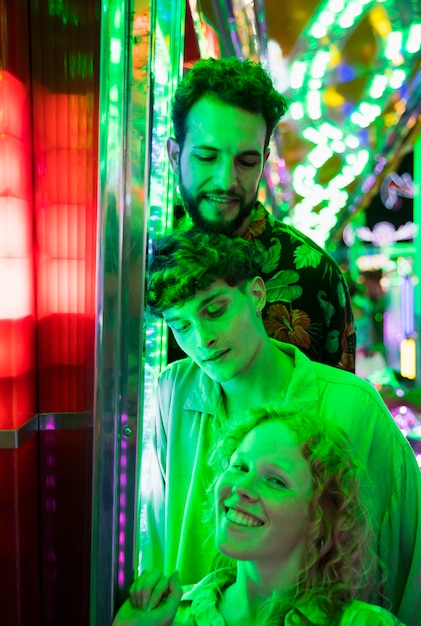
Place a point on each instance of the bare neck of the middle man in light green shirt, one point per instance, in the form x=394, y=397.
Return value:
x=262, y=384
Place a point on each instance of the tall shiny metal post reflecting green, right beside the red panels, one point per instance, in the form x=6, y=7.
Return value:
x=123, y=155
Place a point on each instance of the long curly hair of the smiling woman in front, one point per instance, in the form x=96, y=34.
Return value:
x=340, y=558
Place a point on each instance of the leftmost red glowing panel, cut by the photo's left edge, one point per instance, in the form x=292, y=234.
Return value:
x=17, y=300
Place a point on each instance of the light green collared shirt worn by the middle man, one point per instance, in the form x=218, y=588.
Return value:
x=188, y=404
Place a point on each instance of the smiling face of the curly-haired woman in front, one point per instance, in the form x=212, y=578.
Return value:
x=263, y=497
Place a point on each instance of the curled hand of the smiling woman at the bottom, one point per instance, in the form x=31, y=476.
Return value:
x=154, y=600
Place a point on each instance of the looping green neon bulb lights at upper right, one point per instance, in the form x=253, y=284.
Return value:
x=315, y=56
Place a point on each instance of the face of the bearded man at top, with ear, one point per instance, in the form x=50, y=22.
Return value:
x=220, y=165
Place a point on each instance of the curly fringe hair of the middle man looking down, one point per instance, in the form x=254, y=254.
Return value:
x=185, y=262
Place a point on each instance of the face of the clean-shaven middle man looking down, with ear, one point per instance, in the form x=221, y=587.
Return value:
x=219, y=328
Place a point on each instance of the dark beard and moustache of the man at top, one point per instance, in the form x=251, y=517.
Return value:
x=218, y=225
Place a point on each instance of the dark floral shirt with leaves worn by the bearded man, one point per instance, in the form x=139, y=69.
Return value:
x=308, y=301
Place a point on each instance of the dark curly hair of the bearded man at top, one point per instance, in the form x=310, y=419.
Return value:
x=241, y=83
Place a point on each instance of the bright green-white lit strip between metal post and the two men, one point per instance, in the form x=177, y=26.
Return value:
x=167, y=66
